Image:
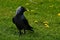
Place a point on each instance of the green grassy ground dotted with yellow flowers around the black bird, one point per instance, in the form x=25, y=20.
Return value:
x=42, y=16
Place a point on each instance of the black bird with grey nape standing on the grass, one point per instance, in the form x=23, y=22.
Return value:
x=20, y=21
